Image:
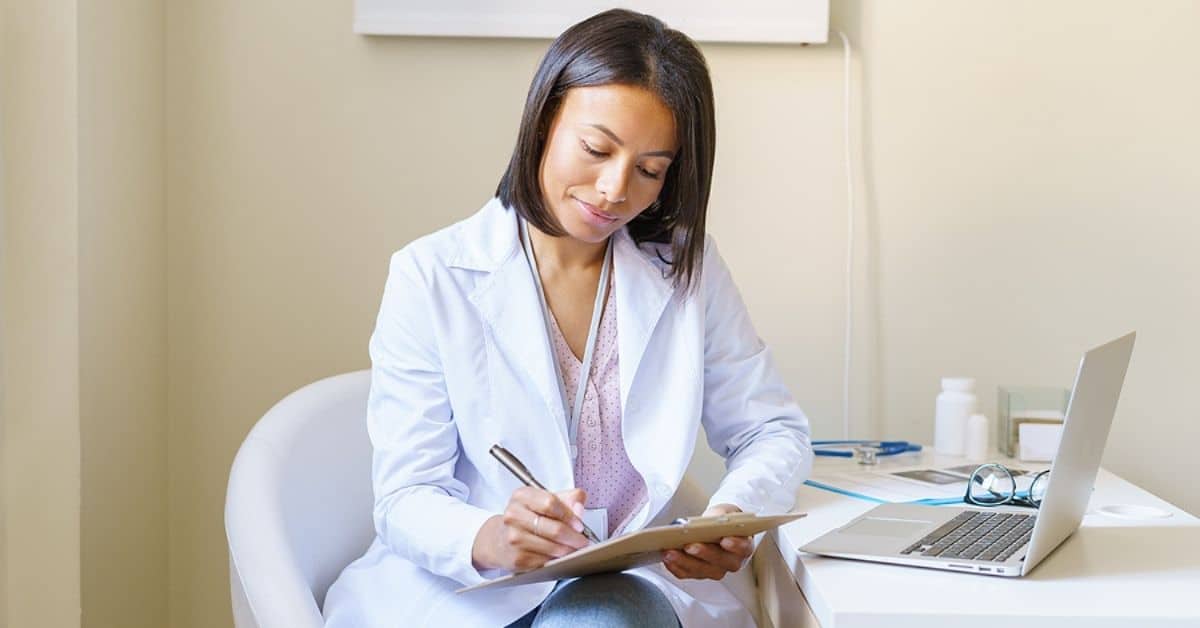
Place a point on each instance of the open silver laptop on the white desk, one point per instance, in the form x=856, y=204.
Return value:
x=1007, y=542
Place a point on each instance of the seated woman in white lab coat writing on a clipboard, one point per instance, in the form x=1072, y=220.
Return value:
x=584, y=321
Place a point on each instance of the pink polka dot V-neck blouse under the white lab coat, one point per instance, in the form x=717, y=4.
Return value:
x=603, y=468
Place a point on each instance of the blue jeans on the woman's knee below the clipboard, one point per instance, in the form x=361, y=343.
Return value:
x=603, y=601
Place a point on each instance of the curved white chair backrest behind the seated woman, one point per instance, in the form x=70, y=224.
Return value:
x=298, y=507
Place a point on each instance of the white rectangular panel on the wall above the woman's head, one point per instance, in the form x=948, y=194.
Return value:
x=722, y=21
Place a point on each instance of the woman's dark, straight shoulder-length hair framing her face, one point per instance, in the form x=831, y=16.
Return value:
x=628, y=49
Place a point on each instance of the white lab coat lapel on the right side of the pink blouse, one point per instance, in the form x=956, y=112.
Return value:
x=643, y=296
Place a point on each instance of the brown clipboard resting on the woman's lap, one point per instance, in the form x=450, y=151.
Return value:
x=641, y=548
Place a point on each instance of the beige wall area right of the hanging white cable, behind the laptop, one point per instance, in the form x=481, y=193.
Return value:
x=1036, y=189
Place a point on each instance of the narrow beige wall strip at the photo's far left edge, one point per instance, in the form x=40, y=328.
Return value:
x=40, y=366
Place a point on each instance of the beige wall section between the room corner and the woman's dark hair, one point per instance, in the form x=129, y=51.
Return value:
x=299, y=158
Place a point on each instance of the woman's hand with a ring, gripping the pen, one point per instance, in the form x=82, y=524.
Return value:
x=537, y=527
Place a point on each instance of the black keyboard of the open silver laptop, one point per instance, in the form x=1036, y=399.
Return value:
x=977, y=536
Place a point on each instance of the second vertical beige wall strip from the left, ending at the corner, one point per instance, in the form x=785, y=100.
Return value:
x=123, y=304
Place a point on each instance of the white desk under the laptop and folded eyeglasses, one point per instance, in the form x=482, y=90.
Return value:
x=1112, y=572
